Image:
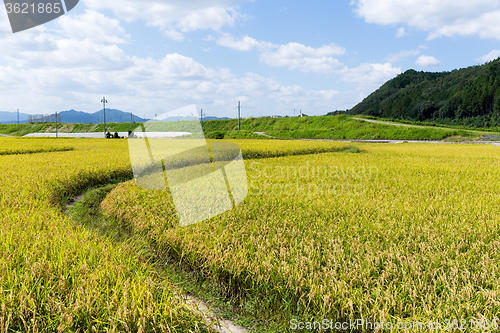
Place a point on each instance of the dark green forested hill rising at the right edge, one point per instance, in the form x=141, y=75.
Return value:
x=469, y=96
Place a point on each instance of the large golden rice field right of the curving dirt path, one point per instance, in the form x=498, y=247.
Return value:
x=399, y=233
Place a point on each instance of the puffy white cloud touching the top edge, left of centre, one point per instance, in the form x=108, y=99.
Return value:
x=175, y=16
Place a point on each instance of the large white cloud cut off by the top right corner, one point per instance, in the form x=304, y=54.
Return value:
x=438, y=17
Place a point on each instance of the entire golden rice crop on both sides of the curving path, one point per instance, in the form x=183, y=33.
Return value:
x=394, y=233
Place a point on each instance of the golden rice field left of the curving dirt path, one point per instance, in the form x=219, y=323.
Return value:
x=57, y=276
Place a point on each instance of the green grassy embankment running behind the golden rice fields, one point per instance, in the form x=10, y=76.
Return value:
x=324, y=127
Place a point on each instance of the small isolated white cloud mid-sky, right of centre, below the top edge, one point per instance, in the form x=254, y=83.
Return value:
x=297, y=56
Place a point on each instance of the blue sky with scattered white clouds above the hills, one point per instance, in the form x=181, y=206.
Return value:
x=153, y=56
